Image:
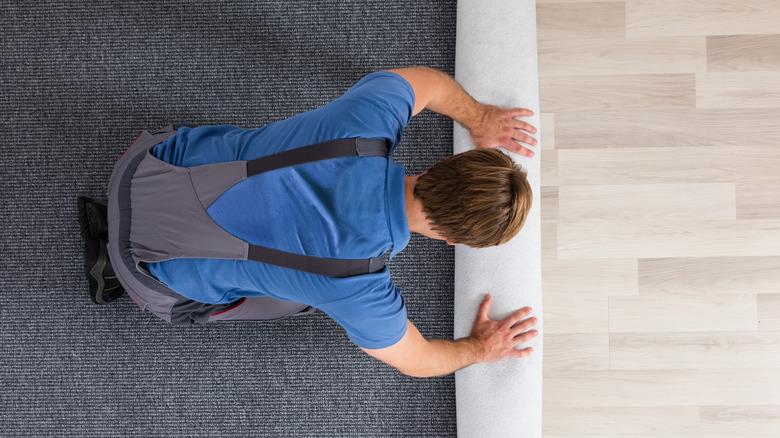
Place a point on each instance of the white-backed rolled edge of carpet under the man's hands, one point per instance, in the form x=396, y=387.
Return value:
x=496, y=62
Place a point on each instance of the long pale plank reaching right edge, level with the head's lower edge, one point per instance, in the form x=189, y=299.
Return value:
x=614, y=239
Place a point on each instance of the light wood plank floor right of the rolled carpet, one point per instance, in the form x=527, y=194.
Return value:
x=661, y=217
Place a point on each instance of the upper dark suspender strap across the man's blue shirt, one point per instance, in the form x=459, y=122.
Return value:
x=339, y=148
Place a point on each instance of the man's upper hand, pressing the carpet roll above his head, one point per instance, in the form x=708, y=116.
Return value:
x=499, y=127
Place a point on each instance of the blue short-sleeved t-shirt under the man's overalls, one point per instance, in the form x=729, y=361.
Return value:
x=349, y=208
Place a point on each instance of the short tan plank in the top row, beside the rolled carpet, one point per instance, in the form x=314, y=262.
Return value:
x=581, y=20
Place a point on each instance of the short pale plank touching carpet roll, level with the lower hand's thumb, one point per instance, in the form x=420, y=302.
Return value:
x=576, y=314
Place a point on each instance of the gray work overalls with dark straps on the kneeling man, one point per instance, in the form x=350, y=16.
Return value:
x=157, y=212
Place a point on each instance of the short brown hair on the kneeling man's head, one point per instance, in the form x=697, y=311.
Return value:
x=478, y=198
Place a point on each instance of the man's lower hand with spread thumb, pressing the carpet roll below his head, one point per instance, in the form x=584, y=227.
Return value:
x=499, y=339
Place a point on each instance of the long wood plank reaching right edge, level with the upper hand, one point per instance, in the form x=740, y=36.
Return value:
x=667, y=128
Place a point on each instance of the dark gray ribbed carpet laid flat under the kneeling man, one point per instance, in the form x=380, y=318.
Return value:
x=78, y=82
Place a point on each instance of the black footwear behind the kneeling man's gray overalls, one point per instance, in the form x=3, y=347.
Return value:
x=104, y=287
